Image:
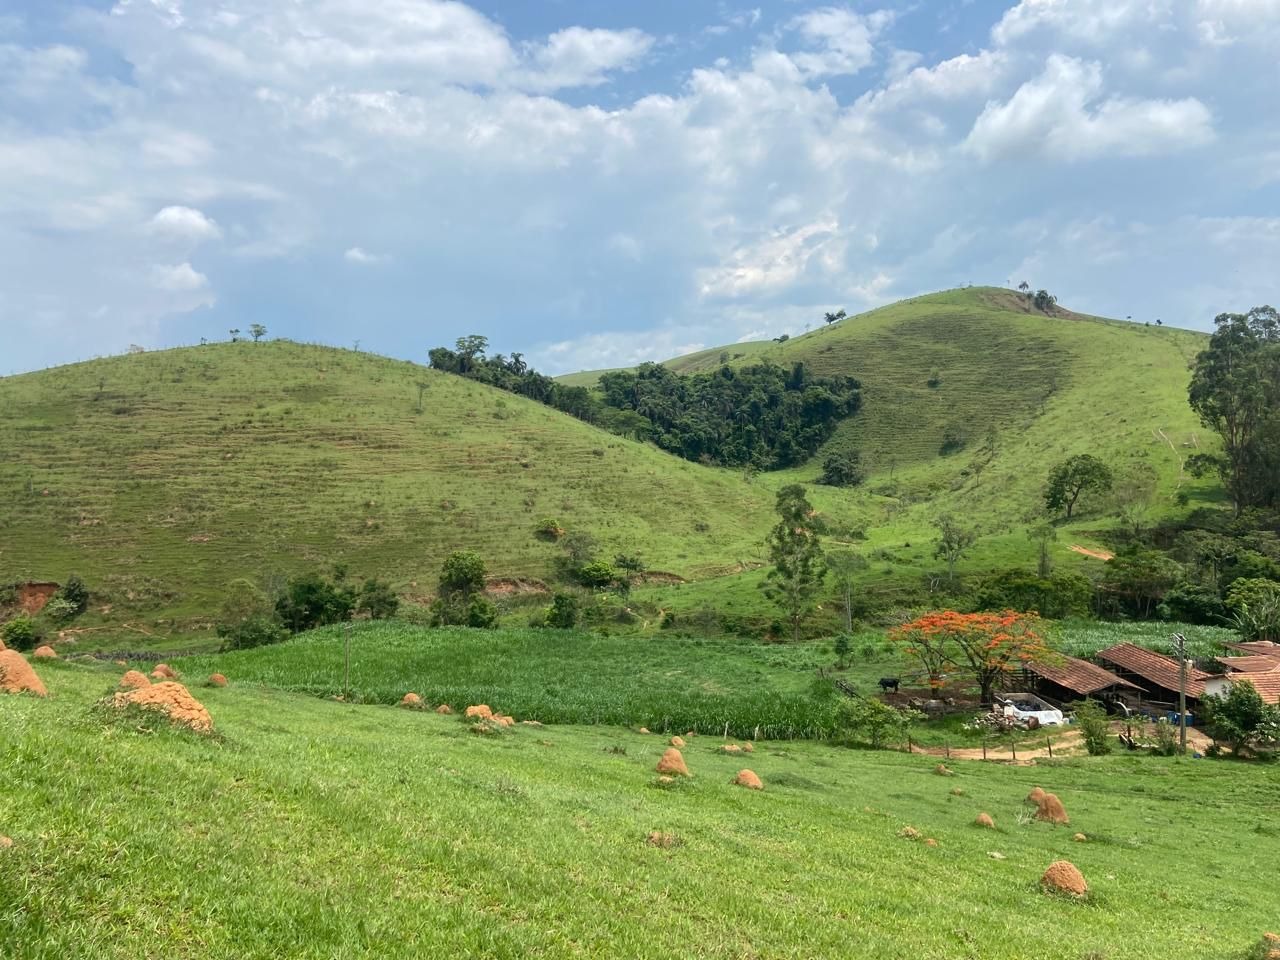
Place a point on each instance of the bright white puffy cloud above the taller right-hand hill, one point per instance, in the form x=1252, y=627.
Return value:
x=1059, y=116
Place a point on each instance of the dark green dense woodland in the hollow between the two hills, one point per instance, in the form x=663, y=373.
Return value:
x=766, y=415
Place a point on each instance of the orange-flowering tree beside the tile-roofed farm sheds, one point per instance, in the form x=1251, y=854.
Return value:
x=984, y=646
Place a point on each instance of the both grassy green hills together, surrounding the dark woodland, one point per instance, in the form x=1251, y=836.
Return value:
x=162, y=477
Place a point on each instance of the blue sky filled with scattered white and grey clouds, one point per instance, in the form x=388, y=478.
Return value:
x=596, y=184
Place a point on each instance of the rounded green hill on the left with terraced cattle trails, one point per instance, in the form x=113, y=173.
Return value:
x=162, y=477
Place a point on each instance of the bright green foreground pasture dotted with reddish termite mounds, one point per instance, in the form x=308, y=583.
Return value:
x=317, y=830
